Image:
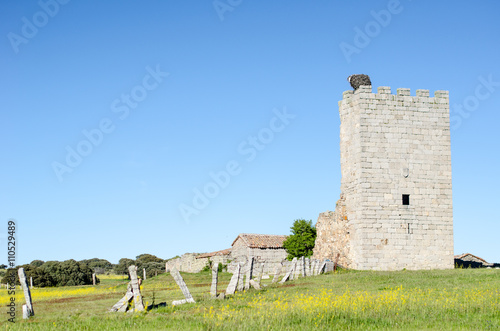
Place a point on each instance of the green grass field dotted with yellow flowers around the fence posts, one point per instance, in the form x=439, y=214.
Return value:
x=441, y=300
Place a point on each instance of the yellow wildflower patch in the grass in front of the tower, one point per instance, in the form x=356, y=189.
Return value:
x=325, y=305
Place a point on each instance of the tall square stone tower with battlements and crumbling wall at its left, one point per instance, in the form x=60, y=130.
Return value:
x=395, y=209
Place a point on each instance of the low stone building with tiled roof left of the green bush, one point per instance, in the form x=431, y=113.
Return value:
x=263, y=247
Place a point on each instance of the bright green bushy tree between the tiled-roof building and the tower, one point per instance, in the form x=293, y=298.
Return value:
x=301, y=241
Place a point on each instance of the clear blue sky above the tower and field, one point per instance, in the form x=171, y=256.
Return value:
x=169, y=92
